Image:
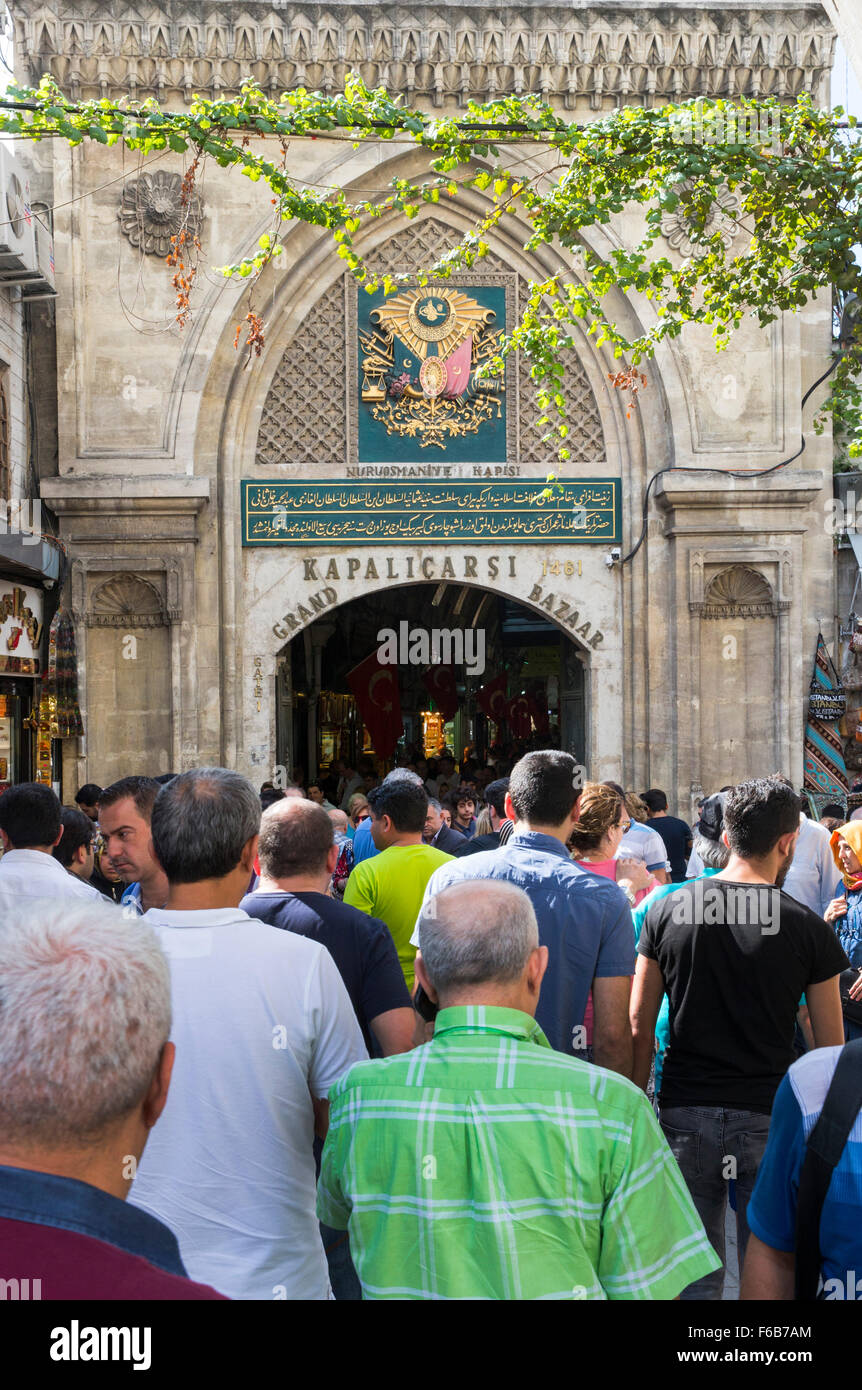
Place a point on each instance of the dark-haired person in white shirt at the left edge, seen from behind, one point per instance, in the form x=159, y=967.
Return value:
x=31, y=826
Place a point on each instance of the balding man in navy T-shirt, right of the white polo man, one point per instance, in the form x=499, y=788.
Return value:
x=298, y=854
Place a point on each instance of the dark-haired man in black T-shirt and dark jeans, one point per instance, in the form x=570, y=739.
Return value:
x=735, y=956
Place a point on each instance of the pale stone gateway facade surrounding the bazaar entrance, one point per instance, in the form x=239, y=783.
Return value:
x=707, y=633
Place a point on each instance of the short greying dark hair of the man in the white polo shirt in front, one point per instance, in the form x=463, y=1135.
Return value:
x=202, y=822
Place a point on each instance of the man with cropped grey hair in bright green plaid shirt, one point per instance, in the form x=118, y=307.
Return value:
x=485, y=1164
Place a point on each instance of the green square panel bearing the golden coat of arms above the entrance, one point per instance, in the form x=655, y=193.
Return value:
x=419, y=397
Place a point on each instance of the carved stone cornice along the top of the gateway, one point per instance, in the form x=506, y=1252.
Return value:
x=443, y=55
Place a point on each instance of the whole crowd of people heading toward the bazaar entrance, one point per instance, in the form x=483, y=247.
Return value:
x=482, y=1033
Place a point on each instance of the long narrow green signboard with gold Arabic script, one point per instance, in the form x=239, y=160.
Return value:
x=587, y=511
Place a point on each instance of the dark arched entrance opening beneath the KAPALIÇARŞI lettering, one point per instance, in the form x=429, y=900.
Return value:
x=320, y=721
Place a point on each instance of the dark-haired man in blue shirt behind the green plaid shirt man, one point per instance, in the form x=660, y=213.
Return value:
x=585, y=921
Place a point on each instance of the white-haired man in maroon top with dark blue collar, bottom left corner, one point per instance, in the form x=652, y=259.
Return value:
x=87, y=1065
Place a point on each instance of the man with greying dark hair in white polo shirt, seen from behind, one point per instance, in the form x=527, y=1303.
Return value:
x=263, y=1028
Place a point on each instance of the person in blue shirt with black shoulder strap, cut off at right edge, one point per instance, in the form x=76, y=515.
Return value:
x=772, y=1210
